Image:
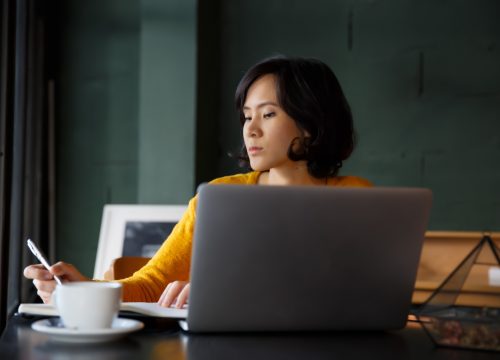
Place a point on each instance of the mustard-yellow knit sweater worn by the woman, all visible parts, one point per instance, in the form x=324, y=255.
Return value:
x=173, y=259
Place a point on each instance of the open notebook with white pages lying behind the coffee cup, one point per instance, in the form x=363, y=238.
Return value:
x=143, y=308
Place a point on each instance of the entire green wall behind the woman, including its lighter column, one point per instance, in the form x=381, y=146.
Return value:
x=146, y=99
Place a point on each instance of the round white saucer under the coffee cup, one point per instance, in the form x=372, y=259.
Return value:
x=57, y=332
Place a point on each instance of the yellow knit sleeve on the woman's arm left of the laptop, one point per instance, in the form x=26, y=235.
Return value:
x=170, y=263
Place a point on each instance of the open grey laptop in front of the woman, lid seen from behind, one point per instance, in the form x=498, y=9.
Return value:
x=305, y=258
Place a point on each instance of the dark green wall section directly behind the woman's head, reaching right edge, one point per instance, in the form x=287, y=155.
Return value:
x=423, y=80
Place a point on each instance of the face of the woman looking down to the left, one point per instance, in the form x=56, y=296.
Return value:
x=268, y=131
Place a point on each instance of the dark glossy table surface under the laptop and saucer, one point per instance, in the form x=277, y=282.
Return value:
x=162, y=339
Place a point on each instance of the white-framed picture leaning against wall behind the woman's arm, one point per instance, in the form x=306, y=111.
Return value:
x=133, y=230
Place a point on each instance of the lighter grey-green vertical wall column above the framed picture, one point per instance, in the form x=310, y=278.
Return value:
x=167, y=102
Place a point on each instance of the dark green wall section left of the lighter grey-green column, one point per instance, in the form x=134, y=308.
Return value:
x=97, y=125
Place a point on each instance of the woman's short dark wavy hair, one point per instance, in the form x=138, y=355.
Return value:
x=309, y=92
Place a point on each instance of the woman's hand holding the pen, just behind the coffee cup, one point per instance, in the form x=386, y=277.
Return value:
x=43, y=279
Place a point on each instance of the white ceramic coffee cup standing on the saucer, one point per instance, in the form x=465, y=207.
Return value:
x=88, y=305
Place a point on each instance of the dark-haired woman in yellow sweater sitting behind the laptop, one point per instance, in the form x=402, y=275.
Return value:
x=297, y=129
